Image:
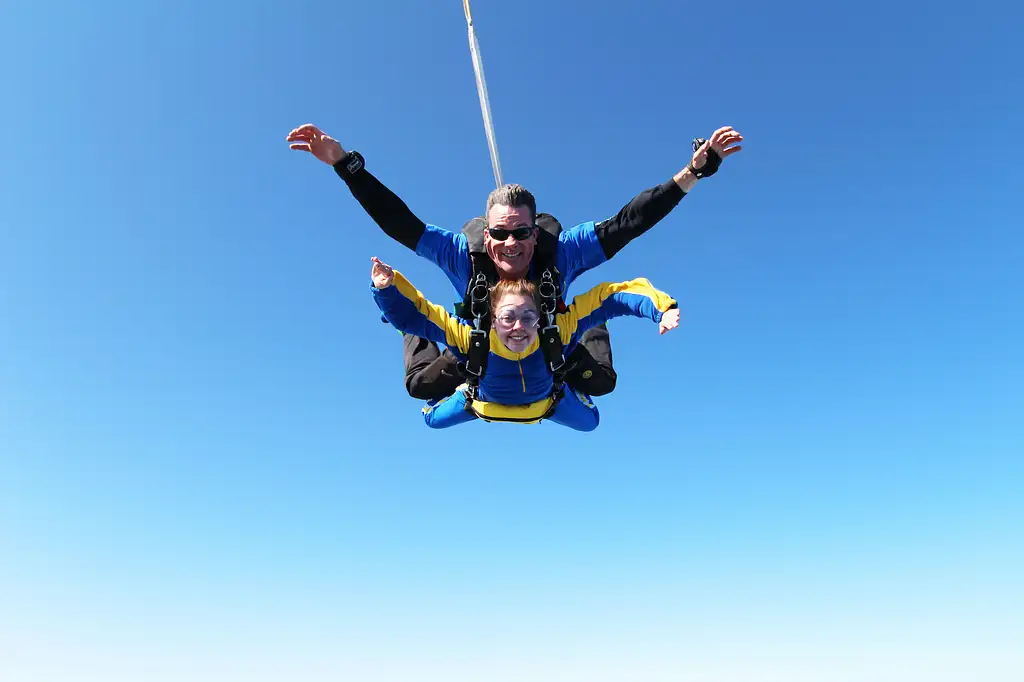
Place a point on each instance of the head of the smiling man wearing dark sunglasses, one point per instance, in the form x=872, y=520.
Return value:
x=511, y=235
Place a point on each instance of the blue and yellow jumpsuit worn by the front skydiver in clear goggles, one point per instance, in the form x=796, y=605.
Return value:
x=518, y=387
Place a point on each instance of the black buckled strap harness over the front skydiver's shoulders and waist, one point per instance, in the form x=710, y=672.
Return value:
x=547, y=280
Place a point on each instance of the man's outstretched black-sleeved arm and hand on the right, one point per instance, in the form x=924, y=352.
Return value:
x=648, y=208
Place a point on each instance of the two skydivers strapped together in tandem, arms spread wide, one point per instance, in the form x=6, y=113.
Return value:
x=516, y=351
